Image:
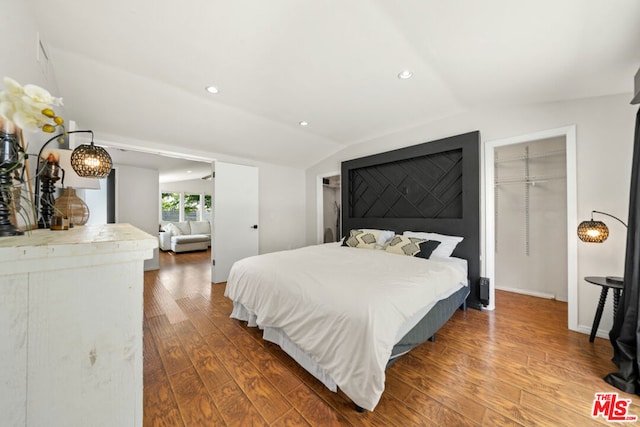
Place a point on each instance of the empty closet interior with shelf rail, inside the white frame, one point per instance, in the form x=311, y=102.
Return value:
x=530, y=208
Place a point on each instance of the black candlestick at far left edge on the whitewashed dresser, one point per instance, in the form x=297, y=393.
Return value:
x=11, y=156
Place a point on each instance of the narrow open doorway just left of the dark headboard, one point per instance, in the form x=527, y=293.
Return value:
x=329, y=213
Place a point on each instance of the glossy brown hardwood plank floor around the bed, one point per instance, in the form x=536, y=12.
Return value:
x=516, y=366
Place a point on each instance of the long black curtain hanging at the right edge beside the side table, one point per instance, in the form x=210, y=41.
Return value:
x=626, y=324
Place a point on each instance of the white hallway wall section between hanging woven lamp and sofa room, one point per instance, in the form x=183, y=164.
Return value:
x=137, y=195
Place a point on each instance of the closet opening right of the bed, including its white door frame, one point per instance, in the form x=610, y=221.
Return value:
x=530, y=206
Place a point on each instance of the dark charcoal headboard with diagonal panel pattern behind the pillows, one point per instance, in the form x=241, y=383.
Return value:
x=433, y=186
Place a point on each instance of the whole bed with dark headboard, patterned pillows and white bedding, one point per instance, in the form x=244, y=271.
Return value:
x=345, y=311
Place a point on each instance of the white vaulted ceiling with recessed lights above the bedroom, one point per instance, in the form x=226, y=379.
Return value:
x=137, y=69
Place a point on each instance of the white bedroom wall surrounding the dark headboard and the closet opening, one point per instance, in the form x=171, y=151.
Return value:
x=604, y=146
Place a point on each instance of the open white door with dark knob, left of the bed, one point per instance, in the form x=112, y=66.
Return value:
x=235, y=217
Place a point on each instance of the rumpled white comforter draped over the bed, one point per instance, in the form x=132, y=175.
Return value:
x=342, y=306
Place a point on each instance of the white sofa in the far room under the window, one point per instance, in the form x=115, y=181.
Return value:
x=185, y=236
